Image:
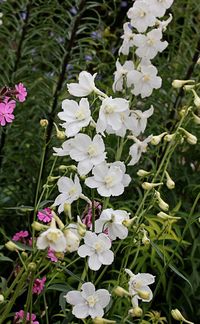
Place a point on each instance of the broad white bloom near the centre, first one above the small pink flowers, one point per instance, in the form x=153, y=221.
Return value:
x=109, y=179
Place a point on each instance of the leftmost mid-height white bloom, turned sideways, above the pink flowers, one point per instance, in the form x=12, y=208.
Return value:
x=70, y=191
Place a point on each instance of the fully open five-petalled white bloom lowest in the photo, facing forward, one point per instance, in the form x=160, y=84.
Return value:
x=88, y=302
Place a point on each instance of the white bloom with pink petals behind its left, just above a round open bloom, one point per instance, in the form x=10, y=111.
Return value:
x=112, y=220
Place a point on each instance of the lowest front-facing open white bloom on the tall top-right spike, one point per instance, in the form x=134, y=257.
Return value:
x=144, y=81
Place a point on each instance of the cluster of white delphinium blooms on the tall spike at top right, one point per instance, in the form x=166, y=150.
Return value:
x=141, y=76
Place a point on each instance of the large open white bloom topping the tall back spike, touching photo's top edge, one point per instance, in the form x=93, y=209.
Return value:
x=142, y=16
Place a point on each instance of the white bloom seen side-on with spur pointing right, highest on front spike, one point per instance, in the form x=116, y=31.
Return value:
x=85, y=86
